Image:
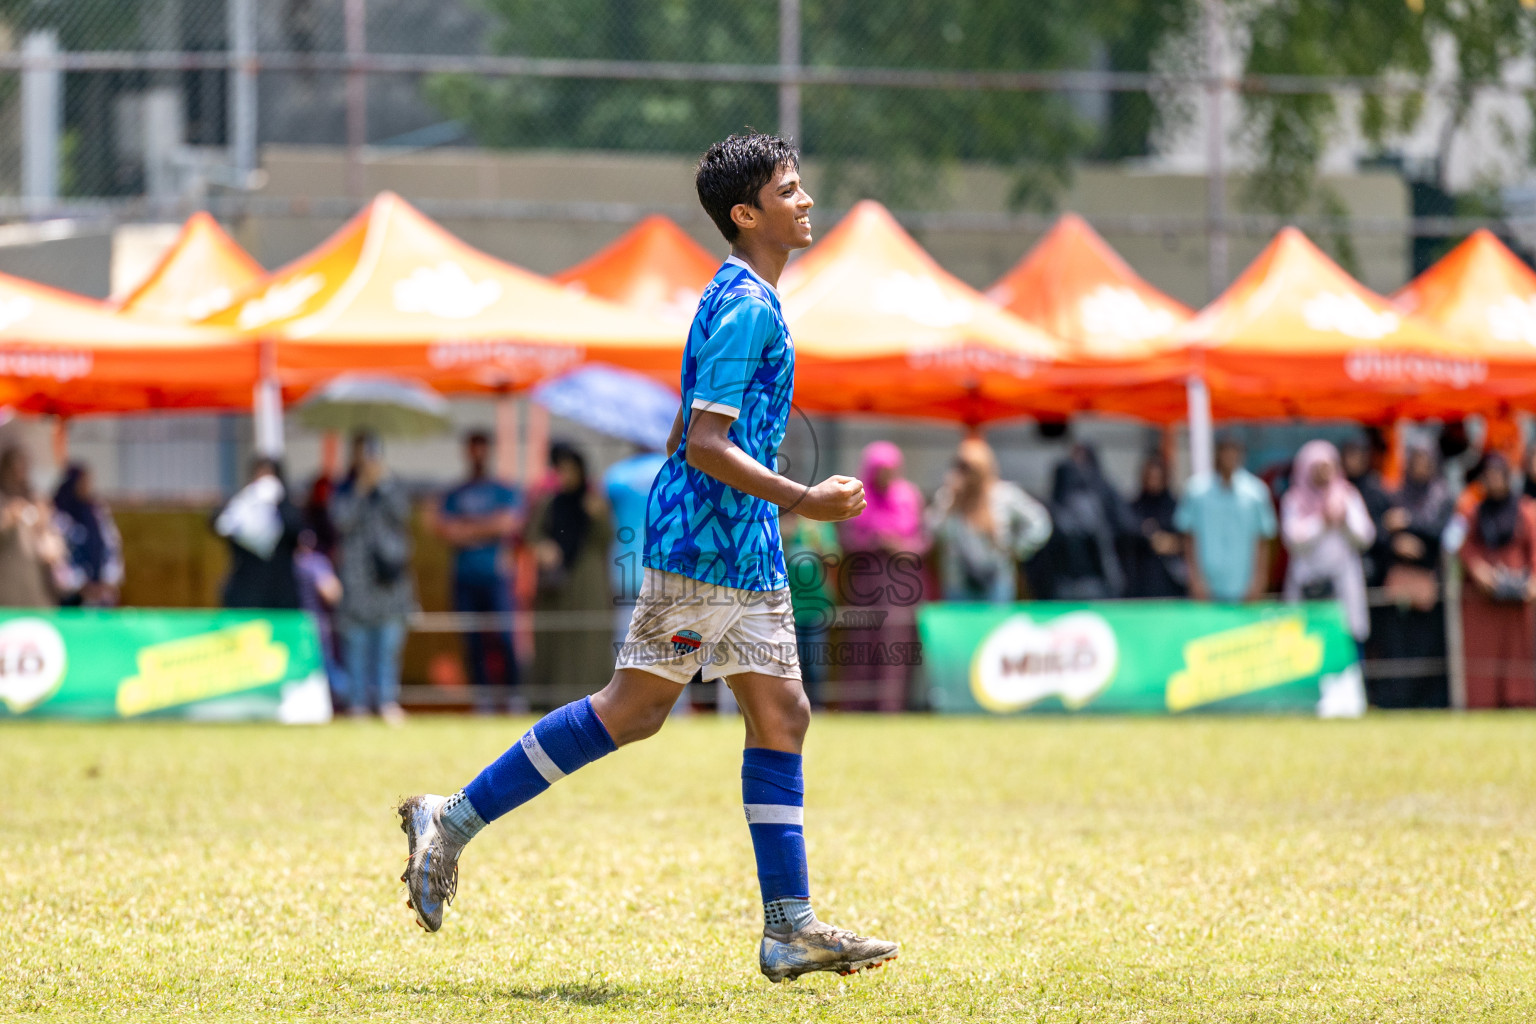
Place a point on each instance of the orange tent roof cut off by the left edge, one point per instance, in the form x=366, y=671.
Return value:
x=65, y=354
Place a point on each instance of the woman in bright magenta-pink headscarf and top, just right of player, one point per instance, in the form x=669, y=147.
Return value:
x=882, y=578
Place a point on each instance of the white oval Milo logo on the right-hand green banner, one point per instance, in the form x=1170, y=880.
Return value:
x=1022, y=662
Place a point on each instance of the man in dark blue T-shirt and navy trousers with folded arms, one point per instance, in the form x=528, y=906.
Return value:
x=478, y=518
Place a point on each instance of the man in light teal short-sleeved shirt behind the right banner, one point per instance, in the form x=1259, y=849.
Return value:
x=1228, y=521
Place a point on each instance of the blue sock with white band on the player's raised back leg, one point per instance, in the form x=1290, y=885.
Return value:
x=554, y=748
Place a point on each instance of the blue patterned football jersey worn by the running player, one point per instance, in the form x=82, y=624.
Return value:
x=738, y=362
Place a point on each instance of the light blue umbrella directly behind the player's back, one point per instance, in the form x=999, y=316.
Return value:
x=617, y=403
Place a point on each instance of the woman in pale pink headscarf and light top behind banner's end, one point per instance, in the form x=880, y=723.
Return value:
x=1326, y=527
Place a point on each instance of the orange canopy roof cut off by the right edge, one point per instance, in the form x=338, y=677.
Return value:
x=1483, y=296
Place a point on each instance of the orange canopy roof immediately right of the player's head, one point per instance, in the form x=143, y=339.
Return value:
x=881, y=328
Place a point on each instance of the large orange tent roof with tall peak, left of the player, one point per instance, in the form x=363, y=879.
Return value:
x=394, y=292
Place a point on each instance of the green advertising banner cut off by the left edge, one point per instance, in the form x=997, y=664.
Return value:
x=139, y=664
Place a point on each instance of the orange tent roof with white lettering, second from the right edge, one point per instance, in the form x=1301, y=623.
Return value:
x=1297, y=337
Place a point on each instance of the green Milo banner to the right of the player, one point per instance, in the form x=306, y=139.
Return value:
x=1140, y=658
